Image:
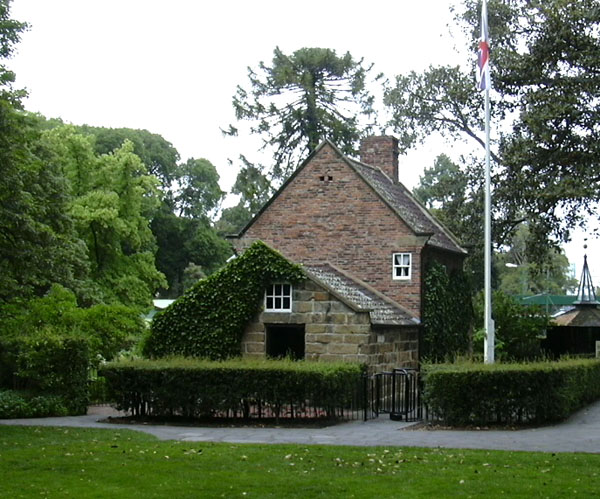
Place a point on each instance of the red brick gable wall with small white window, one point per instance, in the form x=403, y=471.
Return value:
x=341, y=221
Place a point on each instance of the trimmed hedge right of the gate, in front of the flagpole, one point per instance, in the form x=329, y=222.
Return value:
x=543, y=392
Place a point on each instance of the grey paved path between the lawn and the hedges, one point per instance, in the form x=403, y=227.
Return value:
x=580, y=433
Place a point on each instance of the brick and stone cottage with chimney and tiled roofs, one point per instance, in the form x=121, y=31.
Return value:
x=364, y=241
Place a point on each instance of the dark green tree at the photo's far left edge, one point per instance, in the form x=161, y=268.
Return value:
x=38, y=245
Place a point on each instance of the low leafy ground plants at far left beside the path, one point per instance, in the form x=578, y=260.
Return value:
x=15, y=404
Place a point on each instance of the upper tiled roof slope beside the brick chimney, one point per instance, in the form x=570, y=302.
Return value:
x=406, y=206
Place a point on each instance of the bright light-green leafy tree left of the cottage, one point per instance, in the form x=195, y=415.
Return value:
x=112, y=201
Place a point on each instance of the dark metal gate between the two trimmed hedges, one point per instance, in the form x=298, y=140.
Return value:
x=396, y=393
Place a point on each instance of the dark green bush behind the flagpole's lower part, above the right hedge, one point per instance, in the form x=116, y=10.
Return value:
x=518, y=328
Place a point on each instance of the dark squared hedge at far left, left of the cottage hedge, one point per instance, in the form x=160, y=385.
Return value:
x=48, y=362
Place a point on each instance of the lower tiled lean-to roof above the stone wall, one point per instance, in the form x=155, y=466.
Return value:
x=382, y=311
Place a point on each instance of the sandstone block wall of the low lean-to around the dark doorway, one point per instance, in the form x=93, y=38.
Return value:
x=336, y=332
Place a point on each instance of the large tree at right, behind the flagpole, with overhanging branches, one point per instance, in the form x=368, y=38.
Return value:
x=547, y=89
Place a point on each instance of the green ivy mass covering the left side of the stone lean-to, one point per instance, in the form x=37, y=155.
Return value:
x=208, y=321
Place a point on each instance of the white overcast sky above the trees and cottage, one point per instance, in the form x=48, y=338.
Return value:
x=173, y=67
